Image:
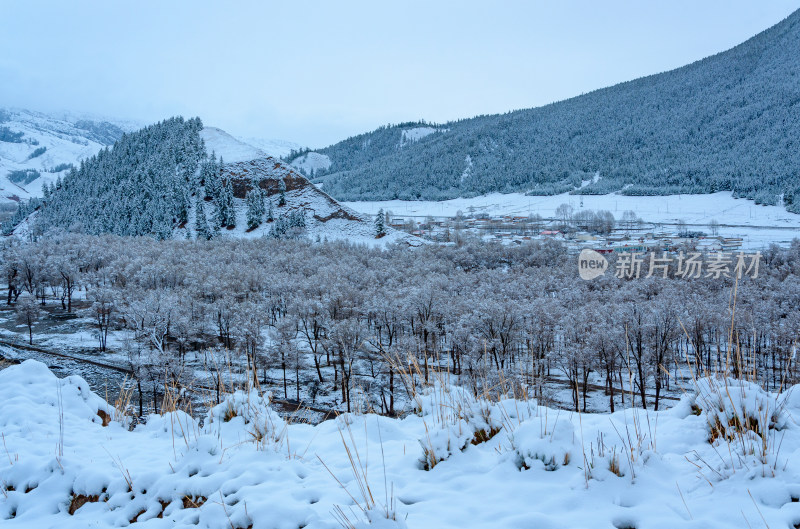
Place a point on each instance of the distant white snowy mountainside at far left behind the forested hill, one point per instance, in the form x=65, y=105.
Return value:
x=37, y=148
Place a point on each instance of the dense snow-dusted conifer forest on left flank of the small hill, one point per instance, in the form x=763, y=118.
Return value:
x=140, y=186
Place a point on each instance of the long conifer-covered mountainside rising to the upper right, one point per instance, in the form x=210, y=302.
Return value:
x=727, y=122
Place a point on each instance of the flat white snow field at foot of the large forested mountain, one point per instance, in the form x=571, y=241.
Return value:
x=757, y=225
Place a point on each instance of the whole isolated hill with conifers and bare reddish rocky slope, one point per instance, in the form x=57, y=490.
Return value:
x=166, y=181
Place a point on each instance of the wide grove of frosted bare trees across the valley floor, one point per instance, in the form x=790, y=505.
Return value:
x=356, y=320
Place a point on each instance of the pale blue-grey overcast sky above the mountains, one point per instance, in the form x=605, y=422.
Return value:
x=317, y=72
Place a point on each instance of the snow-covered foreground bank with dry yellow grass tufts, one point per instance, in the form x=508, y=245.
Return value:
x=503, y=465
